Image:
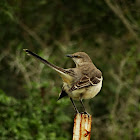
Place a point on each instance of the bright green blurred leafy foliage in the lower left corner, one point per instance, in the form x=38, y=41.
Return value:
x=31, y=119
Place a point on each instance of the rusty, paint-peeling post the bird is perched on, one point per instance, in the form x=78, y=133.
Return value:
x=82, y=127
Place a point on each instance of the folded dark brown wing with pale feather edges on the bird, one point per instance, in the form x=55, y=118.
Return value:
x=85, y=81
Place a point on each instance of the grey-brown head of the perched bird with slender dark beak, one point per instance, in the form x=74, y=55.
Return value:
x=79, y=58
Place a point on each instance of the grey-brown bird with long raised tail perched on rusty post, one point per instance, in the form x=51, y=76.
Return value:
x=82, y=82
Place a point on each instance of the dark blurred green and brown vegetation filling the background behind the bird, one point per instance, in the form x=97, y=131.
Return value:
x=108, y=30
